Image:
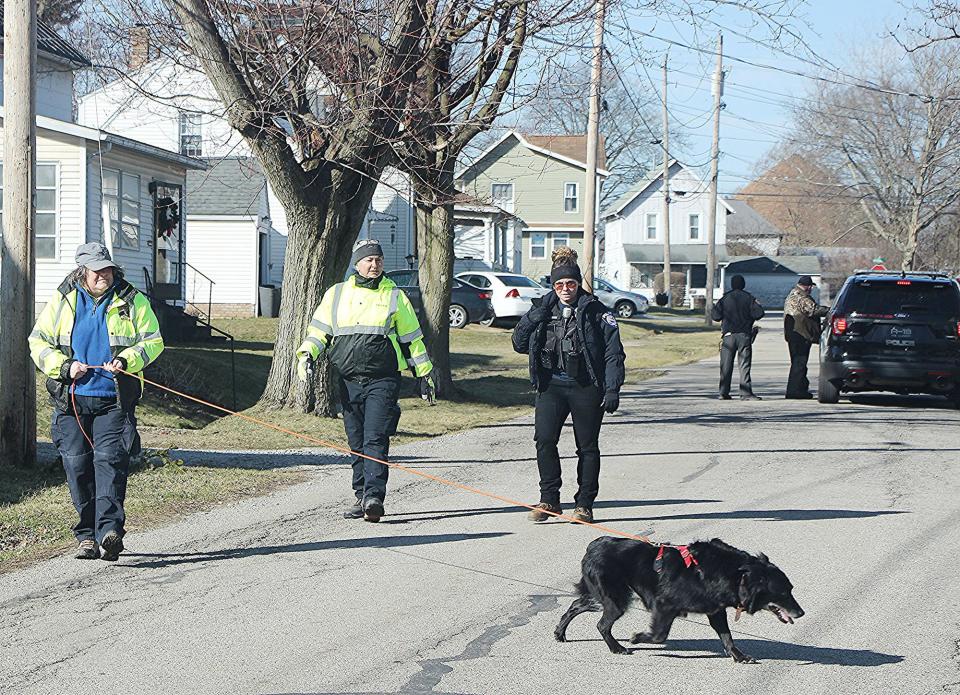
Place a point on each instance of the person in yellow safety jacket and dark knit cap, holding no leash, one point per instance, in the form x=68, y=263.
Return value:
x=369, y=331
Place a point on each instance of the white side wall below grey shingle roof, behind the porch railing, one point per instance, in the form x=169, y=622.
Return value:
x=225, y=250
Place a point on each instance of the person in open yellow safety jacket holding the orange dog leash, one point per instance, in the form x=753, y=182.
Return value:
x=96, y=325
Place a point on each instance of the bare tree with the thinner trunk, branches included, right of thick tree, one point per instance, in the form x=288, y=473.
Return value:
x=472, y=56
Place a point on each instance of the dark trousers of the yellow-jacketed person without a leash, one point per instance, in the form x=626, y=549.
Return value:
x=370, y=417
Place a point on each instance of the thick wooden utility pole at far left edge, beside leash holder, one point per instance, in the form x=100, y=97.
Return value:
x=18, y=397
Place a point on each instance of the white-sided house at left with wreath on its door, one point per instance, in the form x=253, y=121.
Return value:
x=93, y=185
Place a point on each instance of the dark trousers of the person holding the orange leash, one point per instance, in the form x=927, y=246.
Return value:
x=97, y=478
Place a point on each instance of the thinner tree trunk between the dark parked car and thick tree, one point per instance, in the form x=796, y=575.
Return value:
x=435, y=264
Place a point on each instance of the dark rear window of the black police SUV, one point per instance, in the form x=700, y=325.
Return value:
x=890, y=298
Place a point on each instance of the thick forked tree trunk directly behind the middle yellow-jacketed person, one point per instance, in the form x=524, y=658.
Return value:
x=321, y=233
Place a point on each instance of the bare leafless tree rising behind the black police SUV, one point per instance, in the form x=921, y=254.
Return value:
x=895, y=146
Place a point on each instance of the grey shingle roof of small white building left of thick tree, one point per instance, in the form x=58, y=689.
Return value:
x=231, y=186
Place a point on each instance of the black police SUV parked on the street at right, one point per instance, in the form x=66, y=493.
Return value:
x=892, y=332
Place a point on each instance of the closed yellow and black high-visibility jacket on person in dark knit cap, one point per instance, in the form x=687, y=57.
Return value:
x=366, y=333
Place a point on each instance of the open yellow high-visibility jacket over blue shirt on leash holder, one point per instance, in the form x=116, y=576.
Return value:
x=134, y=337
